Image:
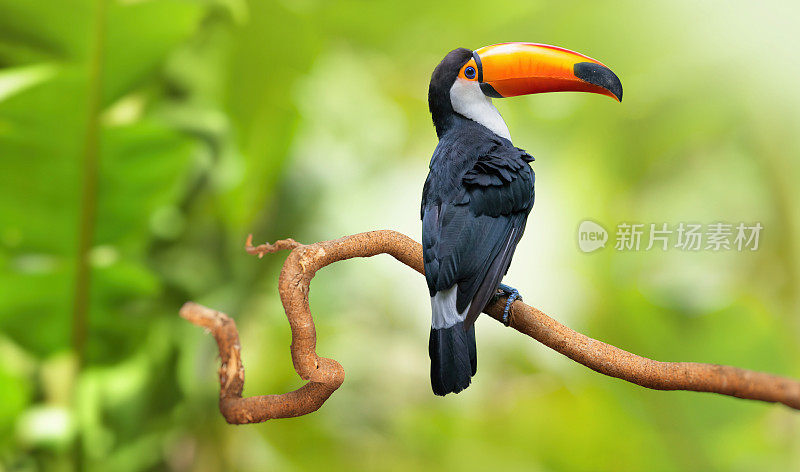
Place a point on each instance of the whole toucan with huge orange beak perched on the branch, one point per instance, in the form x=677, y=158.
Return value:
x=480, y=188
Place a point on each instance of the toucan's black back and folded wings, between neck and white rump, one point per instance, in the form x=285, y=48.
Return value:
x=475, y=204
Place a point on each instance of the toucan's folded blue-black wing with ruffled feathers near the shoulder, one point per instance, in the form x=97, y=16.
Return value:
x=470, y=239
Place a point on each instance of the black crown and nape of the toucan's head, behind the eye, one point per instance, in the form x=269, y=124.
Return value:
x=442, y=79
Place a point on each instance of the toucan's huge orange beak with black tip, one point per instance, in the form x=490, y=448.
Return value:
x=511, y=69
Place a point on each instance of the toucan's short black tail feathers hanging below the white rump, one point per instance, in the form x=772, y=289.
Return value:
x=454, y=358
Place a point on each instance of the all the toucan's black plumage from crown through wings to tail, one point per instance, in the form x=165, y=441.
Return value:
x=475, y=204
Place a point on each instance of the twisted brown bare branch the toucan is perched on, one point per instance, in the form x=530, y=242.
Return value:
x=324, y=375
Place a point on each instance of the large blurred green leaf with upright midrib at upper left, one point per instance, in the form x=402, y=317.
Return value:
x=43, y=137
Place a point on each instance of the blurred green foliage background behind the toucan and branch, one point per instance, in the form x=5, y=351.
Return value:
x=308, y=118
